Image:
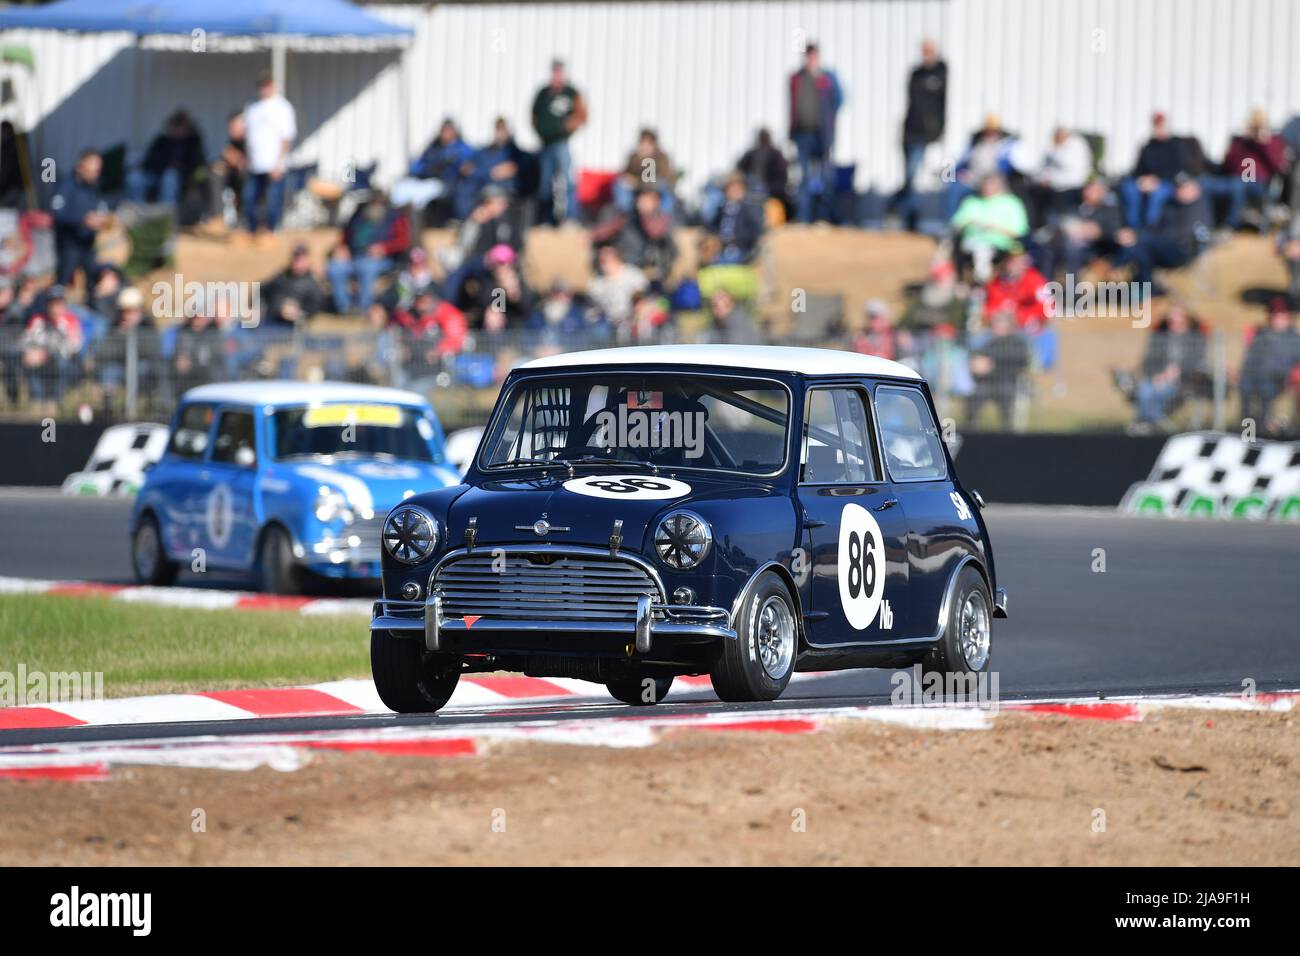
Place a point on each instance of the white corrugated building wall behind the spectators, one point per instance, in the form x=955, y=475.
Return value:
x=709, y=75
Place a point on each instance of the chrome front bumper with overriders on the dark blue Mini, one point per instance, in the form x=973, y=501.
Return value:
x=652, y=621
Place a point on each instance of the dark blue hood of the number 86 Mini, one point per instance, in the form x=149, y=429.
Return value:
x=506, y=509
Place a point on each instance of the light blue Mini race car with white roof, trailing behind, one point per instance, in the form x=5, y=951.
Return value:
x=283, y=479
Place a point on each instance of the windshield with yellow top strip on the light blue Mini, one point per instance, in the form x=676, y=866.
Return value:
x=362, y=431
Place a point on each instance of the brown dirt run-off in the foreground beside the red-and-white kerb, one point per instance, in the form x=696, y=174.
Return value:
x=1181, y=788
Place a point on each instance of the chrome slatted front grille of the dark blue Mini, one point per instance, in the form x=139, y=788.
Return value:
x=543, y=586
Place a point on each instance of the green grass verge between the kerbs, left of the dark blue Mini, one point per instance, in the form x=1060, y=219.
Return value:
x=148, y=650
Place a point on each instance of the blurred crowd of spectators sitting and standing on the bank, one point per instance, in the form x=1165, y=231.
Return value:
x=1011, y=227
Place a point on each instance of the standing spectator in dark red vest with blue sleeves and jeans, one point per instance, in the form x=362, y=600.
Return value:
x=816, y=101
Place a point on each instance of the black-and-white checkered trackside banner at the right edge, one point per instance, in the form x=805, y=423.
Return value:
x=1214, y=475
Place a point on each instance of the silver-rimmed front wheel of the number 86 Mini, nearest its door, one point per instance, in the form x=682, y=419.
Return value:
x=760, y=664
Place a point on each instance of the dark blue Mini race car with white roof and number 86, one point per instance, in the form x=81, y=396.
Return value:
x=636, y=514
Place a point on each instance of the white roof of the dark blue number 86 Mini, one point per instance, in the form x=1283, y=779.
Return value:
x=770, y=358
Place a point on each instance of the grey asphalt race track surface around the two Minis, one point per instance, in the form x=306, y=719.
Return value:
x=1181, y=607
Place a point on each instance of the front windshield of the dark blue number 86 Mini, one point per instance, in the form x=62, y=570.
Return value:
x=678, y=421
